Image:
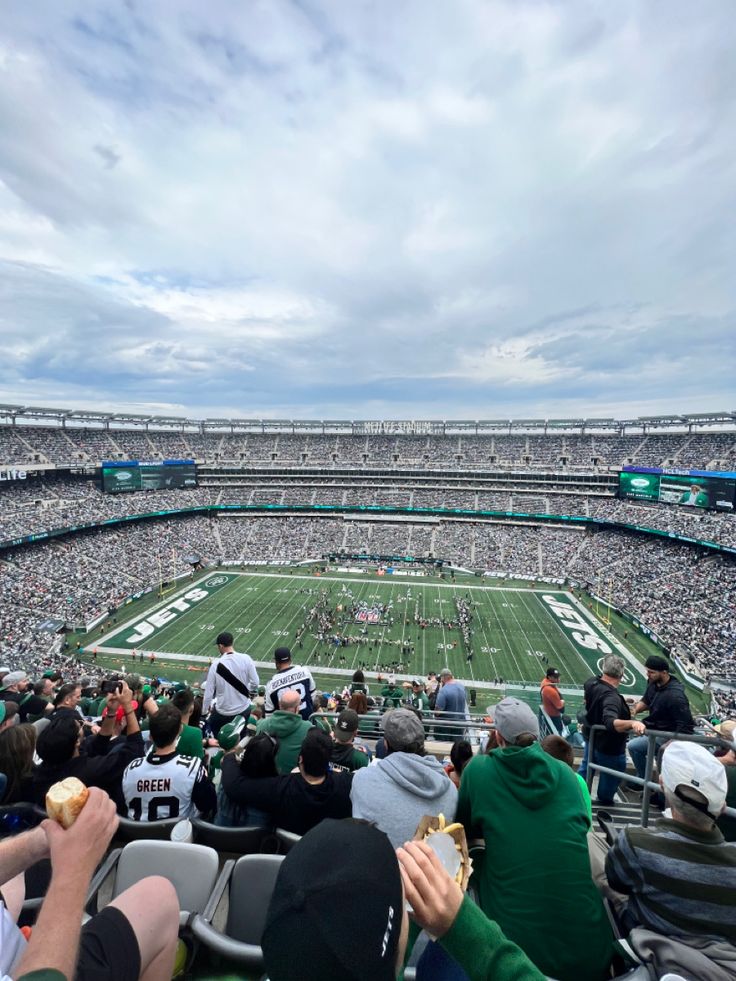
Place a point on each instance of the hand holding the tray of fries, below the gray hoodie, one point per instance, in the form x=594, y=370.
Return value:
x=434, y=897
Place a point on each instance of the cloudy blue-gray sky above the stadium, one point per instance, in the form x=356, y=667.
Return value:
x=369, y=210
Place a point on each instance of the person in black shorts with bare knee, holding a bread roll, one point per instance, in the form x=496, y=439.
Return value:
x=137, y=932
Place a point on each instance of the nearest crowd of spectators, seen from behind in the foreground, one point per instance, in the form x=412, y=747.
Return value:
x=151, y=751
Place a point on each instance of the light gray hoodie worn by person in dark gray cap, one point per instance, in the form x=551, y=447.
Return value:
x=398, y=791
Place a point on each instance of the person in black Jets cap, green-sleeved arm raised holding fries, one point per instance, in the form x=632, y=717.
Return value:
x=343, y=859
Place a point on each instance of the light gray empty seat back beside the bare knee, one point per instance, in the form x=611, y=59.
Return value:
x=191, y=869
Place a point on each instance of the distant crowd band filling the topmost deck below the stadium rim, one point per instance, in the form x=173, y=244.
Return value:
x=28, y=444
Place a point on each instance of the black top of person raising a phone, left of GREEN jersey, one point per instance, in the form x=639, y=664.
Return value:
x=93, y=768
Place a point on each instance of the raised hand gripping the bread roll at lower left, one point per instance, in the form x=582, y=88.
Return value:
x=79, y=849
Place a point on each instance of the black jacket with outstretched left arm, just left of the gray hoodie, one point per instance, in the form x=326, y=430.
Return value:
x=294, y=804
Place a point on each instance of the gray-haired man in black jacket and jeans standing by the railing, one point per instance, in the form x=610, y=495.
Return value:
x=606, y=706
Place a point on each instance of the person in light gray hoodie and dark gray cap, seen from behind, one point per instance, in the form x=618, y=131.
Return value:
x=400, y=789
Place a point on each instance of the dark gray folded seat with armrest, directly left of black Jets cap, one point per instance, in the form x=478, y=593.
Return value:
x=251, y=886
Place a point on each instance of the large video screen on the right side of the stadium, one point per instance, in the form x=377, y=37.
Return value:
x=693, y=488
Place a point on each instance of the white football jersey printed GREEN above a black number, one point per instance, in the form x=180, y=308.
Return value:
x=158, y=787
